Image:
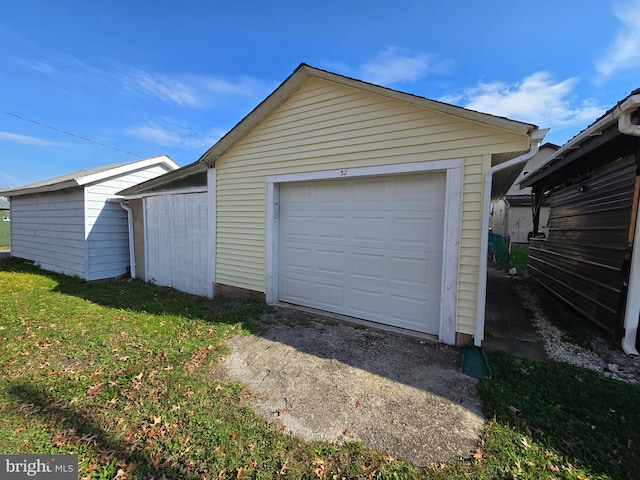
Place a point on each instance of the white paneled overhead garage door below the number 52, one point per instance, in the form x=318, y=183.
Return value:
x=369, y=248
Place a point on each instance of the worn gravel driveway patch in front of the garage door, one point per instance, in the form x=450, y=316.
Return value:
x=333, y=381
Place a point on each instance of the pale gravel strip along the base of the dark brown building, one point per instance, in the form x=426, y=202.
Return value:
x=610, y=362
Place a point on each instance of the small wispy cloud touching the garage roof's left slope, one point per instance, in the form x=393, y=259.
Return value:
x=171, y=134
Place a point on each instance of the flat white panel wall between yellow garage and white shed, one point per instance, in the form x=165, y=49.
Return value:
x=176, y=238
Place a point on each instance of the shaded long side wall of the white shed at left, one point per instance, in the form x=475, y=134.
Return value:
x=49, y=229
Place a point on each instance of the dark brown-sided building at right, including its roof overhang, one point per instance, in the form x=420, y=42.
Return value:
x=591, y=256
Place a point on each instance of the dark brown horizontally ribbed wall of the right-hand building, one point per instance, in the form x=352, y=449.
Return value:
x=584, y=260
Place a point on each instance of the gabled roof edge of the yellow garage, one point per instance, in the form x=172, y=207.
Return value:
x=295, y=80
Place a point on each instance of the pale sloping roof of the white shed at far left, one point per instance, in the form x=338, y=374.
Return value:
x=88, y=176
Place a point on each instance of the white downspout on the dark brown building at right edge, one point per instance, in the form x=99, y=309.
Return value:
x=632, y=309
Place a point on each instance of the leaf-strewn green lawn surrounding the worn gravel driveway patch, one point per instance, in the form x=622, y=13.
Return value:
x=120, y=373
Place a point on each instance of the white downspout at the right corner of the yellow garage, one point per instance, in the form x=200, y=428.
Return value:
x=536, y=139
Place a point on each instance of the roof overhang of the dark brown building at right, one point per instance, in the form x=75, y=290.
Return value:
x=603, y=130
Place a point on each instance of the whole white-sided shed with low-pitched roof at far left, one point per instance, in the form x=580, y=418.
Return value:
x=74, y=223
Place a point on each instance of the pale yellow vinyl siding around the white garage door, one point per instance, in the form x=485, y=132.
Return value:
x=326, y=126
